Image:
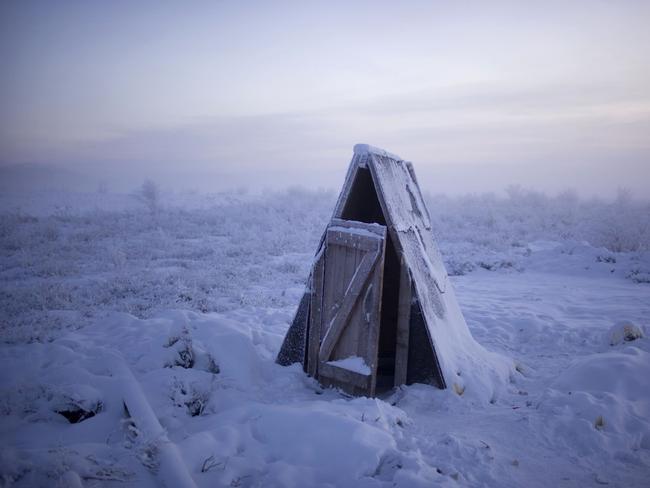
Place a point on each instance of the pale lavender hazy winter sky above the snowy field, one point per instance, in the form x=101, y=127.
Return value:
x=478, y=95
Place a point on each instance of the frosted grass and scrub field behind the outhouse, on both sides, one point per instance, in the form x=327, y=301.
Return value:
x=66, y=259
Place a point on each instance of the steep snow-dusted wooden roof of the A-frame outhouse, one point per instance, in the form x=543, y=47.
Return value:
x=460, y=358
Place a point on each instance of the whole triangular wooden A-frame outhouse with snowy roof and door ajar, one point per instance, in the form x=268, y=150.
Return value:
x=378, y=310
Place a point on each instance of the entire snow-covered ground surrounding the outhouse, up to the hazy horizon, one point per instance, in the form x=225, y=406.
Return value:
x=194, y=294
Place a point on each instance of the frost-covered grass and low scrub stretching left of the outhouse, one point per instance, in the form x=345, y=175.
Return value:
x=63, y=269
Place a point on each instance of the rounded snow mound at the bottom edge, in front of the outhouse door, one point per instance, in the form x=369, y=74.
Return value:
x=318, y=443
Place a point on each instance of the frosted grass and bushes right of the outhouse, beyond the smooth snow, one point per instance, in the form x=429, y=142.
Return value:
x=490, y=232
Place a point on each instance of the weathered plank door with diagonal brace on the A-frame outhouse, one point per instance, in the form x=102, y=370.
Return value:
x=346, y=305
